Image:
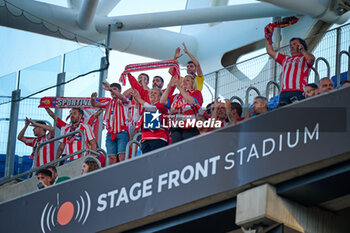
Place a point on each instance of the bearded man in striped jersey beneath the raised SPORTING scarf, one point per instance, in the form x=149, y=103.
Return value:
x=75, y=142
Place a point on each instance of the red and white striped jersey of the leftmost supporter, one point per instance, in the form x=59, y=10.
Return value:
x=46, y=153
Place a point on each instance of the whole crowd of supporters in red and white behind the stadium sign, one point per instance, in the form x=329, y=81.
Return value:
x=175, y=105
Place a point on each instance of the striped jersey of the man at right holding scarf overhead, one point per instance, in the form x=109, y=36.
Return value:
x=296, y=72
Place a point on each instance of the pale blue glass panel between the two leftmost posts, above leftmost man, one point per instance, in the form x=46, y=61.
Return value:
x=40, y=76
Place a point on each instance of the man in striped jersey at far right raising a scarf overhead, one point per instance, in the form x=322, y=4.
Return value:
x=296, y=69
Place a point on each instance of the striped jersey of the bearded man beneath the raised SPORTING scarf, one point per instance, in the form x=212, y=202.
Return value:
x=75, y=143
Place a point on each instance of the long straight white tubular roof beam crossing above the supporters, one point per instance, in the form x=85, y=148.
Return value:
x=190, y=16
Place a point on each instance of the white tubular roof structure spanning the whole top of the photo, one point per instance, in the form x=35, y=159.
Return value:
x=209, y=28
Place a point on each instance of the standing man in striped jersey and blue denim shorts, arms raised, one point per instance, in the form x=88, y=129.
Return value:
x=116, y=119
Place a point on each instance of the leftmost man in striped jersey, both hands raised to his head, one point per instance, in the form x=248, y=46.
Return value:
x=46, y=153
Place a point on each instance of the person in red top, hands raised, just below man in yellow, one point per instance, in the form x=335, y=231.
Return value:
x=183, y=106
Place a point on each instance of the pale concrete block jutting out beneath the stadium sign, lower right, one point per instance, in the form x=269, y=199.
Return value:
x=262, y=207
